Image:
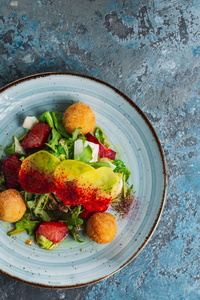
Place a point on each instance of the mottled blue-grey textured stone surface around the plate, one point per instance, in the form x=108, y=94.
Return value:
x=150, y=50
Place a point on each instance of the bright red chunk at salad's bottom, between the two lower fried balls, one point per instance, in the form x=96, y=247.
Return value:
x=53, y=231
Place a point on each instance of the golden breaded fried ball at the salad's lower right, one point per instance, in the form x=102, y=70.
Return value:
x=101, y=227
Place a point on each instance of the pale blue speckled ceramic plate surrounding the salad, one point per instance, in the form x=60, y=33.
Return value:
x=129, y=131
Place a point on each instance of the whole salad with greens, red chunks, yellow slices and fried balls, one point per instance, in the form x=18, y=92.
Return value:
x=60, y=177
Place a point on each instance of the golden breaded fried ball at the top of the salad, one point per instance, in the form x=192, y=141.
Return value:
x=79, y=115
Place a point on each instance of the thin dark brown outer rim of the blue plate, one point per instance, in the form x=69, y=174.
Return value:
x=164, y=167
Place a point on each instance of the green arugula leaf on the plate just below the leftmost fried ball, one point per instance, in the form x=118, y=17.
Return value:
x=24, y=224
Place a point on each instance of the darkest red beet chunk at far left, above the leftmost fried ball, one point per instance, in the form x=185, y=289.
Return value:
x=11, y=168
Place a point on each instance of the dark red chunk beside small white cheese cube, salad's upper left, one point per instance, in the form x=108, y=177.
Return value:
x=37, y=137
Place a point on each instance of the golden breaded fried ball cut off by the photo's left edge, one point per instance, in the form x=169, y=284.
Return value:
x=12, y=206
